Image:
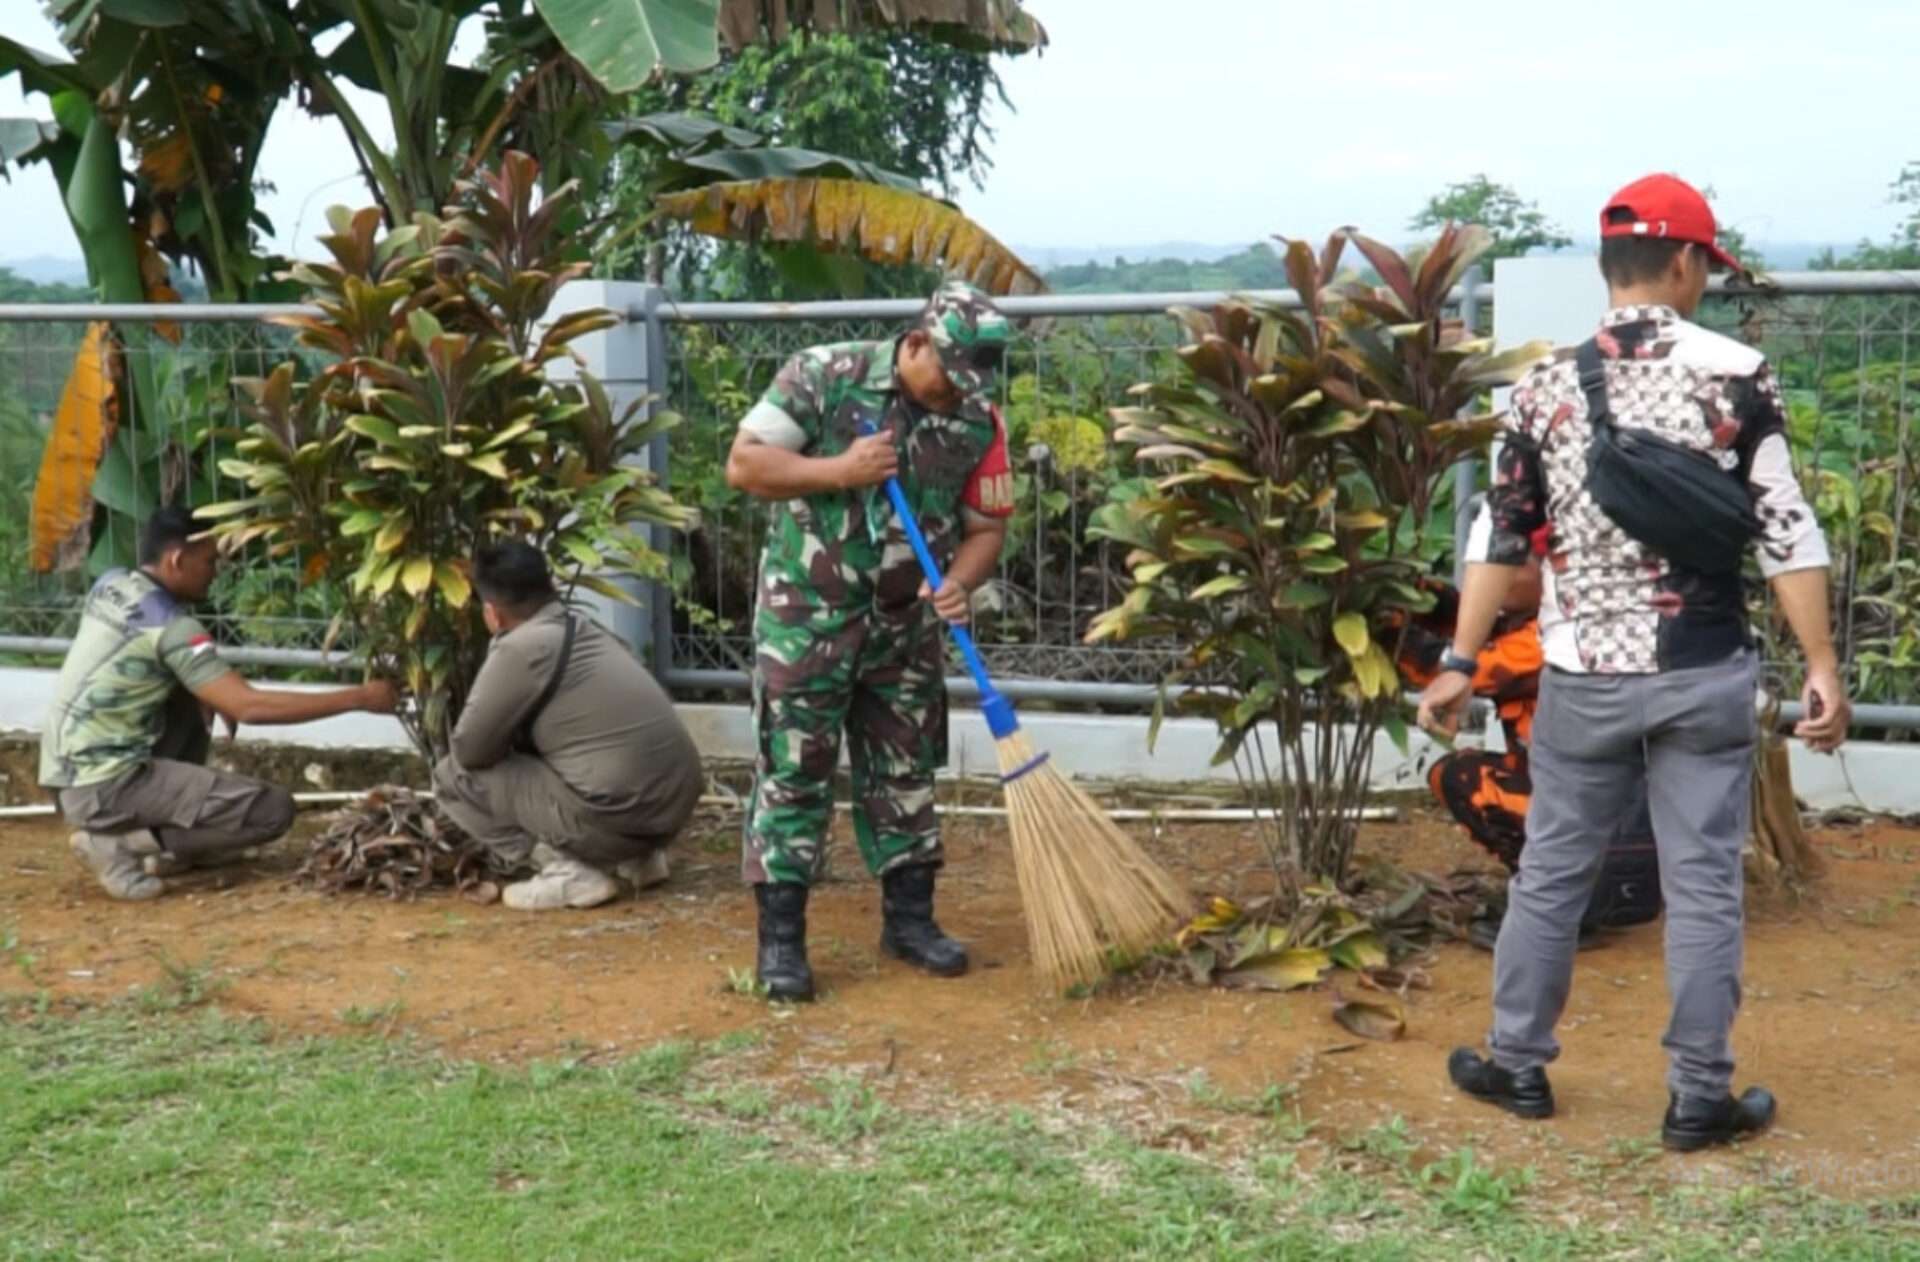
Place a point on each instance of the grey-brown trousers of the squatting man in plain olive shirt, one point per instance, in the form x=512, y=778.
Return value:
x=519, y=802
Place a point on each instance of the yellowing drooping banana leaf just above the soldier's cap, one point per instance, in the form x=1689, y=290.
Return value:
x=882, y=224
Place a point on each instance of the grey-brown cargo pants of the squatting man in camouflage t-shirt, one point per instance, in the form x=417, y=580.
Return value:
x=197, y=812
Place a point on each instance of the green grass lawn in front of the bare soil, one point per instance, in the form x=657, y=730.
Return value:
x=180, y=1132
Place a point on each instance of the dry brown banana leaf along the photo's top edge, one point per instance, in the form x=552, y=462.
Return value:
x=984, y=26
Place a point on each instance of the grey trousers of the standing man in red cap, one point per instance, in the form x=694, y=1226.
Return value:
x=1689, y=737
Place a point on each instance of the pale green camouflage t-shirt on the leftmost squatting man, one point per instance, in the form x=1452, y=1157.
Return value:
x=135, y=646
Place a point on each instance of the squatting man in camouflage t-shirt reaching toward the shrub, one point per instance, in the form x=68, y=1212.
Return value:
x=128, y=740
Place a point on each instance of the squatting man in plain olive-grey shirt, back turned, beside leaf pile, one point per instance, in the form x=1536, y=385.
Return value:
x=569, y=756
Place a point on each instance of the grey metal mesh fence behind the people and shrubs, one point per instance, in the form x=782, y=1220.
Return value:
x=1846, y=366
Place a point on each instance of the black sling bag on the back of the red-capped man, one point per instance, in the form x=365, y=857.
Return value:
x=1671, y=498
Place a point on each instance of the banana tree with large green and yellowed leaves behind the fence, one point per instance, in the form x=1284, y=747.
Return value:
x=193, y=87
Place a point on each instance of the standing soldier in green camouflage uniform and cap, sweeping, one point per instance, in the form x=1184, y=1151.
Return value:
x=846, y=633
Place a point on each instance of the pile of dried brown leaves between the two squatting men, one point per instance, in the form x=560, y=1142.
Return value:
x=398, y=844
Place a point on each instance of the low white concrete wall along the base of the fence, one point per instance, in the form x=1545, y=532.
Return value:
x=1884, y=779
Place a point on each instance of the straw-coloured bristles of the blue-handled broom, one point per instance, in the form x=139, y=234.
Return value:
x=1088, y=886
